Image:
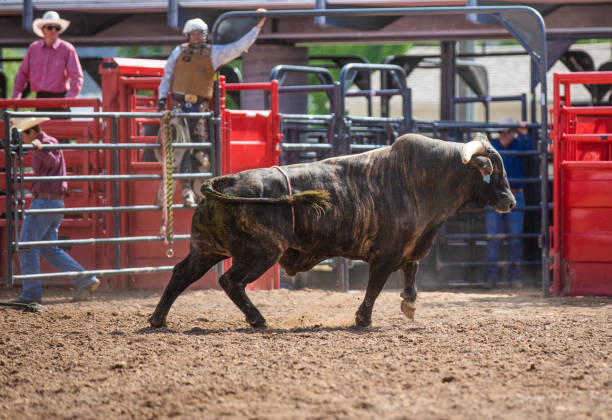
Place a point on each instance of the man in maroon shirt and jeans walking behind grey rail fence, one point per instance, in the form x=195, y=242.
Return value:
x=44, y=227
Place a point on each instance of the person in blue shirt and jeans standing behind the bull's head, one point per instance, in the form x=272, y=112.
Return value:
x=509, y=223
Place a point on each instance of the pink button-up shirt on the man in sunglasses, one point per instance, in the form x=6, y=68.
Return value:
x=50, y=69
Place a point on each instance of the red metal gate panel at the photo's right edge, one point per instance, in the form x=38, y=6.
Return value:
x=582, y=227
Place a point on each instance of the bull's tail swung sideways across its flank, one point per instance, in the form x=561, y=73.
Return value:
x=319, y=199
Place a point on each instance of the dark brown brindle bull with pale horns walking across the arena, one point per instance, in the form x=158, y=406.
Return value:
x=383, y=207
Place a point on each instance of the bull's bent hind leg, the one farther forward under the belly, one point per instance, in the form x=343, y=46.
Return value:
x=242, y=272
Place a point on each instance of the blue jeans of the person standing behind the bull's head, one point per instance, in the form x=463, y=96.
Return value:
x=511, y=223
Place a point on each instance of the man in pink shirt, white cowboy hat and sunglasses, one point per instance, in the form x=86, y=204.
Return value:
x=51, y=65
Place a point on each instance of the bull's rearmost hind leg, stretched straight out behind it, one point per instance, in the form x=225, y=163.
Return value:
x=191, y=269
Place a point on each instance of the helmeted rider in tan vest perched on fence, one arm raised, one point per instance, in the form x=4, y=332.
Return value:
x=189, y=75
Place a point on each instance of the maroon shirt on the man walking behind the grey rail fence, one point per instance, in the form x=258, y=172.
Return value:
x=48, y=163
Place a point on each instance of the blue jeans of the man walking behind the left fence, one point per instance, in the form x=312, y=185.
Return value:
x=44, y=227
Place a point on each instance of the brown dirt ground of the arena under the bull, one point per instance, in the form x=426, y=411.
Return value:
x=467, y=354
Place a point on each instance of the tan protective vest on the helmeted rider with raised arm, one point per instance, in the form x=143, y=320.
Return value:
x=194, y=72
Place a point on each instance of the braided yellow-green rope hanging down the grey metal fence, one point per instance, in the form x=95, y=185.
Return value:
x=166, y=138
